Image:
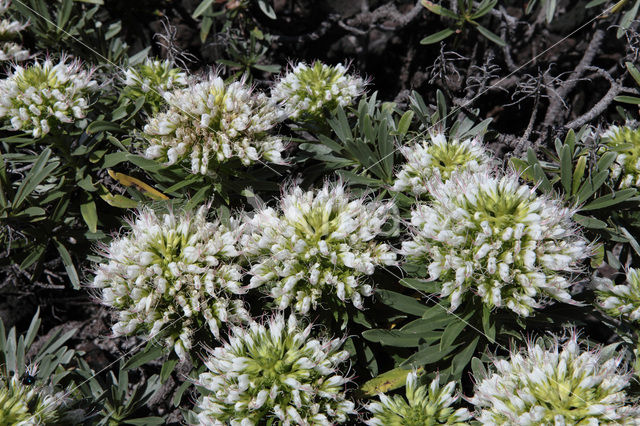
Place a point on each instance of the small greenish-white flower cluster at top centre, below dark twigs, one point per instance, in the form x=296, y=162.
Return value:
x=311, y=92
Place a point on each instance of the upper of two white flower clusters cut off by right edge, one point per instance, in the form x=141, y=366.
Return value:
x=625, y=141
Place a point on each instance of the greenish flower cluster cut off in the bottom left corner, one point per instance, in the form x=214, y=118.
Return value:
x=28, y=405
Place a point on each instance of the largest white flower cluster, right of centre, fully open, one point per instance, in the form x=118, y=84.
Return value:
x=494, y=237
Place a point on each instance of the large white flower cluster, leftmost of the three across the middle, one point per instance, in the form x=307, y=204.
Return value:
x=173, y=273
